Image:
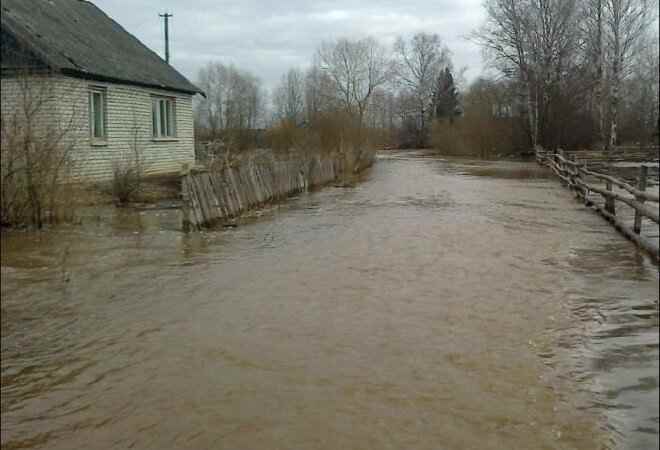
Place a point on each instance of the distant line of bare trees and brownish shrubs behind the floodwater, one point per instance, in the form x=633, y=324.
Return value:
x=564, y=73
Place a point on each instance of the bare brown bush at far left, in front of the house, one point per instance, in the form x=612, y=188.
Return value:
x=35, y=154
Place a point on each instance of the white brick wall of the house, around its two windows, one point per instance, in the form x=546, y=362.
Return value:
x=128, y=124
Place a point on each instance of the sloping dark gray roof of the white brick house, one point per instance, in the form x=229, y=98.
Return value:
x=76, y=38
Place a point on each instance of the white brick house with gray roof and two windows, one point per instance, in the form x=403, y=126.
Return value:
x=115, y=96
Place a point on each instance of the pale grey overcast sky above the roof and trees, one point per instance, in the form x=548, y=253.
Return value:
x=269, y=37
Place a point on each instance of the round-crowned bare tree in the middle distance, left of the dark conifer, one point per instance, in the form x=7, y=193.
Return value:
x=356, y=69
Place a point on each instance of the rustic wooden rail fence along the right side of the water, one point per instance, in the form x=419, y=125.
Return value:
x=617, y=200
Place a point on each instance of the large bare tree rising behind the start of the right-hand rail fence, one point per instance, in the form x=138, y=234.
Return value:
x=541, y=43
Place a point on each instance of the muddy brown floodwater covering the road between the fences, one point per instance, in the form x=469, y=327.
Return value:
x=438, y=304
